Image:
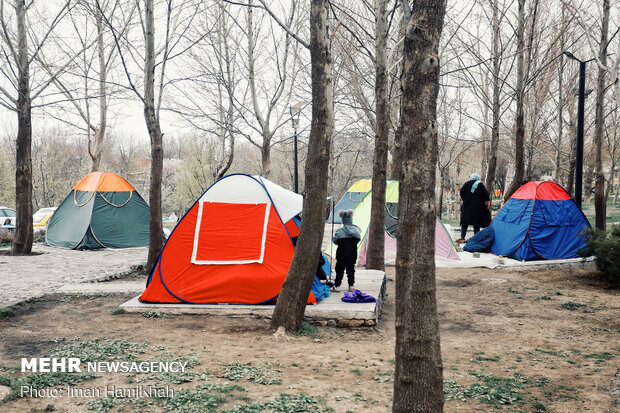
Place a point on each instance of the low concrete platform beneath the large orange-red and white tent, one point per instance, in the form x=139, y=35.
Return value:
x=371, y=282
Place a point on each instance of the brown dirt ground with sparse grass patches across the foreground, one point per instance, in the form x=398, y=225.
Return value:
x=537, y=341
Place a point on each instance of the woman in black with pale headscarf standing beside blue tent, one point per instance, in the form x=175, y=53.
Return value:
x=475, y=209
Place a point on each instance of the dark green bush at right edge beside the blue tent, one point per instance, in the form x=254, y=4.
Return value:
x=605, y=246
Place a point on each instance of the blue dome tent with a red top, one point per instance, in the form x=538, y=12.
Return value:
x=540, y=221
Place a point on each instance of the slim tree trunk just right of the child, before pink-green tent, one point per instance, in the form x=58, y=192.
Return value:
x=376, y=229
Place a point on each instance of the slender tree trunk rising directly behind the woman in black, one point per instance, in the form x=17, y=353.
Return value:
x=492, y=166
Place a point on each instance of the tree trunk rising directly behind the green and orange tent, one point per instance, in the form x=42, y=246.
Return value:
x=95, y=154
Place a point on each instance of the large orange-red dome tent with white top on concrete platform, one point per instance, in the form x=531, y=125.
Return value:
x=233, y=246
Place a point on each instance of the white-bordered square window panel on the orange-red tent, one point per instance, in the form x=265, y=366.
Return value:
x=229, y=233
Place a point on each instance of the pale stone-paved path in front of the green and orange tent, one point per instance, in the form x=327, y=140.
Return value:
x=24, y=277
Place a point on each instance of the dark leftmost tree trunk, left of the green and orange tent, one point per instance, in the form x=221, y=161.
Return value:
x=22, y=244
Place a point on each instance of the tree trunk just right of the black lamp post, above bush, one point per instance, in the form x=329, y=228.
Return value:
x=599, y=188
